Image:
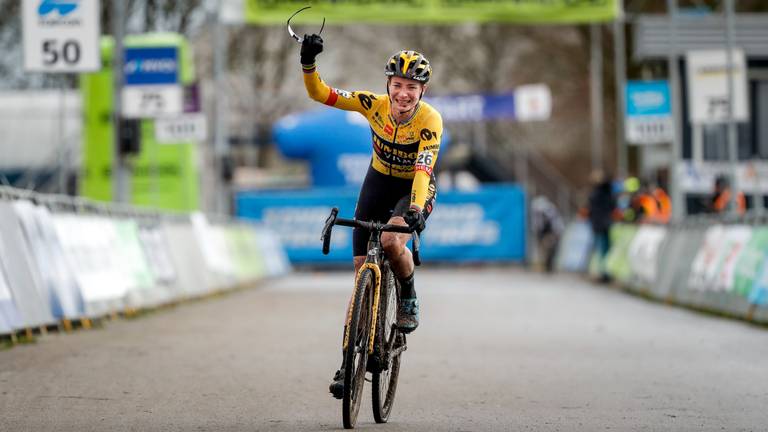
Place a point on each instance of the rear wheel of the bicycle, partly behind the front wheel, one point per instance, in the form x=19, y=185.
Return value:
x=384, y=383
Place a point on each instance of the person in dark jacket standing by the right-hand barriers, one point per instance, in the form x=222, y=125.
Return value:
x=602, y=204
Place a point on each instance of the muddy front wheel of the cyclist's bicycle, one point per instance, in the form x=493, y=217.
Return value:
x=356, y=353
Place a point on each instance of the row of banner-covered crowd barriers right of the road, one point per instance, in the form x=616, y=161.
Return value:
x=704, y=263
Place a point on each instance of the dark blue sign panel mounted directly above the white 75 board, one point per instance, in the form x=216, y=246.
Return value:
x=155, y=65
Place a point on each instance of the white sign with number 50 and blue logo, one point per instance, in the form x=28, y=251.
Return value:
x=61, y=35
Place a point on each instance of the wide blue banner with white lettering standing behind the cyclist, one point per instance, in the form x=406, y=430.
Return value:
x=483, y=225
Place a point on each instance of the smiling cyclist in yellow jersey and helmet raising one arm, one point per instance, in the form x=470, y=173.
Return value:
x=399, y=186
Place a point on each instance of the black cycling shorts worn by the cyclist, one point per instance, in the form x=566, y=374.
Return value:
x=382, y=197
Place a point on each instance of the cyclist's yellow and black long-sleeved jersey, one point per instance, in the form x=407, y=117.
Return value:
x=406, y=151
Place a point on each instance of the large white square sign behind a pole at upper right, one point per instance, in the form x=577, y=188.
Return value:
x=708, y=86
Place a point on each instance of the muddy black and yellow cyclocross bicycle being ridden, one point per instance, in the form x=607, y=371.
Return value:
x=372, y=341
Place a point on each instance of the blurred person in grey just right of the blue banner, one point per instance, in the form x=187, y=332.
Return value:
x=548, y=227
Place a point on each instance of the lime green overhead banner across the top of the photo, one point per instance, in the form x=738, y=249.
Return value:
x=431, y=11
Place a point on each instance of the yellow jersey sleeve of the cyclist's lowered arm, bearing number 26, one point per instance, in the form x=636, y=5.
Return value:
x=429, y=147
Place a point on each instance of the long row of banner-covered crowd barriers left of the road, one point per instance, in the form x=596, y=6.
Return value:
x=64, y=259
